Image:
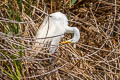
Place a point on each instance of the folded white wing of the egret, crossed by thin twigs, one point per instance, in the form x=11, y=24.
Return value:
x=50, y=28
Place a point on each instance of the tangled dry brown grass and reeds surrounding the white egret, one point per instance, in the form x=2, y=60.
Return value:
x=96, y=56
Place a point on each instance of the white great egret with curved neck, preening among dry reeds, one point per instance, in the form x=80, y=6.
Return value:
x=52, y=30
